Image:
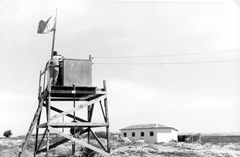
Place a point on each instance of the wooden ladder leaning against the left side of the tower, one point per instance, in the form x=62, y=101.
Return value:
x=32, y=125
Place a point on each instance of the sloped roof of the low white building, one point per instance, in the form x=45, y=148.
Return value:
x=147, y=126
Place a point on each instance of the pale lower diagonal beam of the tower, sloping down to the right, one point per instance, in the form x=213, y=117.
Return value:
x=80, y=142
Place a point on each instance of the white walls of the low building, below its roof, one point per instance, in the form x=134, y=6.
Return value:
x=159, y=135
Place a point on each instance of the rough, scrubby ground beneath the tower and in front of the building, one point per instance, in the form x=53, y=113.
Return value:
x=121, y=148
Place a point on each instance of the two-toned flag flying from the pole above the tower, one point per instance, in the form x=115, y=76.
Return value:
x=47, y=26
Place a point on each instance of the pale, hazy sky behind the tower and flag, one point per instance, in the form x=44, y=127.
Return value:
x=174, y=63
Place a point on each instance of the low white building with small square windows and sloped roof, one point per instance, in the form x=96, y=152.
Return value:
x=152, y=133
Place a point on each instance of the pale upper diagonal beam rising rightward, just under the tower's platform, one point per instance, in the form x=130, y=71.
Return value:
x=77, y=108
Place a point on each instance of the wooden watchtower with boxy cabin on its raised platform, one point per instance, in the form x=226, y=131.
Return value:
x=74, y=87
